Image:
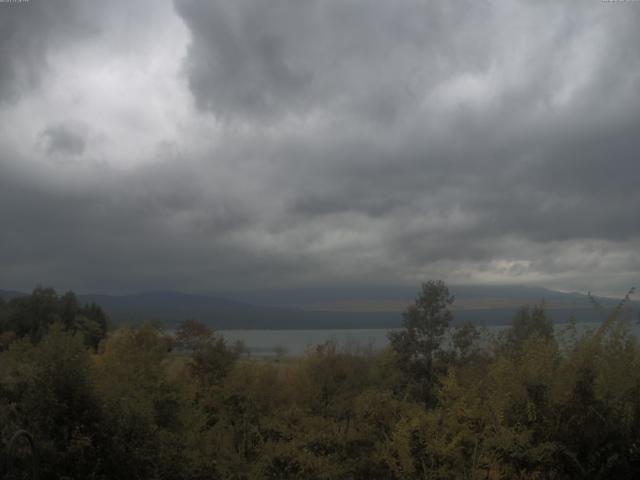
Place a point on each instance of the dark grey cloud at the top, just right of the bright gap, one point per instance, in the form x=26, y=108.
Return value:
x=255, y=59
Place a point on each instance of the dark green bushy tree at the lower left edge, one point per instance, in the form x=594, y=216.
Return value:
x=47, y=389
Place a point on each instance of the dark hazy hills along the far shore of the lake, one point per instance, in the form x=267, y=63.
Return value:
x=333, y=308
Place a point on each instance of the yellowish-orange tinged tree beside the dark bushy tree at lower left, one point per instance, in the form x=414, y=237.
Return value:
x=152, y=424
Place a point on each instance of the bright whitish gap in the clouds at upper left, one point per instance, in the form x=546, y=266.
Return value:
x=124, y=99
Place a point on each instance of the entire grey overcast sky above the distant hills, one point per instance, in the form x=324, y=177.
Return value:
x=220, y=145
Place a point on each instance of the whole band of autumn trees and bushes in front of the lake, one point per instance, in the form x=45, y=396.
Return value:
x=437, y=403
